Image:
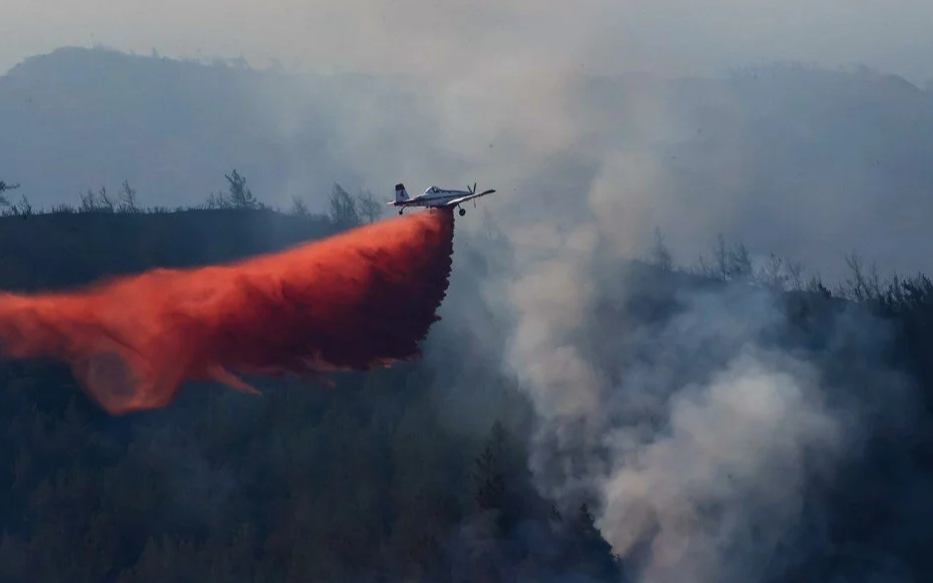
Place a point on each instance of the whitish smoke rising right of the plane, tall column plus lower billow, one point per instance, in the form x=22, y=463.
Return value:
x=699, y=448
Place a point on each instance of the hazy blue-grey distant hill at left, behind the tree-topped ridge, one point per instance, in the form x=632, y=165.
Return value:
x=76, y=119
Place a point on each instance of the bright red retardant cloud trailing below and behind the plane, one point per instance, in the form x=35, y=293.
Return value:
x=361, y=299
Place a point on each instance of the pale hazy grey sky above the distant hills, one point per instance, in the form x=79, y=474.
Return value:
x=419, y=35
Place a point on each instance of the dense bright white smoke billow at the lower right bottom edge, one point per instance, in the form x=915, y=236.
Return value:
x=719, y=491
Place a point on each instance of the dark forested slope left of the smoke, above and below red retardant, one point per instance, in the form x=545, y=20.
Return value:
x=368, y=481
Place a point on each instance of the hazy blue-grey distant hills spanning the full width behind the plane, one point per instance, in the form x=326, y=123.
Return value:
x=808, y=163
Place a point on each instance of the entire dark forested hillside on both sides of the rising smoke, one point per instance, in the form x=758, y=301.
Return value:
x=421, y=472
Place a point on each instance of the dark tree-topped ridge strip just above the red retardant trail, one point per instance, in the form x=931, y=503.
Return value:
x=64, y=245
